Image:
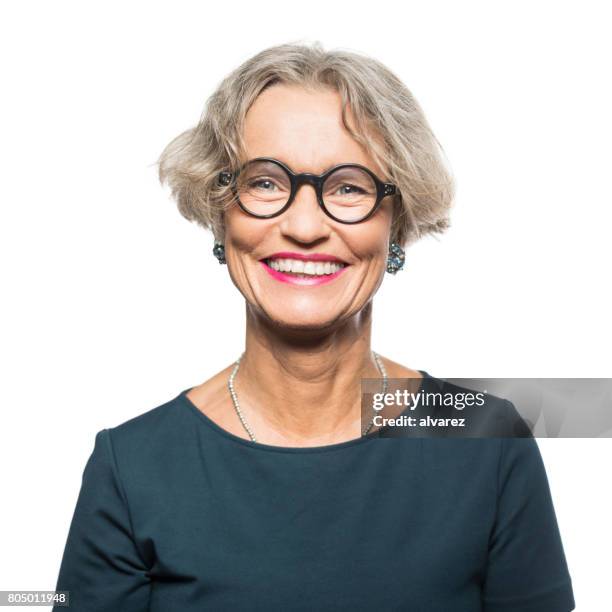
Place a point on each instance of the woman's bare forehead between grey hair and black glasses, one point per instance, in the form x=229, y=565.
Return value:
x=302, y=128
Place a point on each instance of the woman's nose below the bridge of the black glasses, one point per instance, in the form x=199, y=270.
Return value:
x=304, y=221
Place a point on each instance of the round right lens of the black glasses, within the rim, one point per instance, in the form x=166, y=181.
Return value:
x=349, y=193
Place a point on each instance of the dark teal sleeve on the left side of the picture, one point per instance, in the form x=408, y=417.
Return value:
x=101, y=566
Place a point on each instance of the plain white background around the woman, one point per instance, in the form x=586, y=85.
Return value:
x=112, y=302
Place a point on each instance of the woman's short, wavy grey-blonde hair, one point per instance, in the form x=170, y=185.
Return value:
x=379, y=103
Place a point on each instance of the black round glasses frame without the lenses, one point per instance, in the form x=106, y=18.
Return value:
x=383, y=189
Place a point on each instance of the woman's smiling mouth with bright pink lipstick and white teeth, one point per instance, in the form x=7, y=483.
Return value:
x=301, y=269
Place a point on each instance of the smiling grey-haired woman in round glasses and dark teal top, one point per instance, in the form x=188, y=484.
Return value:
x=265, y=487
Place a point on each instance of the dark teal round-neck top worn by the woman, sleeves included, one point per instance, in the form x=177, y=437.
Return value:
x=177, y=514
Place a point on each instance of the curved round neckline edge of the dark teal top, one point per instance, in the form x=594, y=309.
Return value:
x=187, y=403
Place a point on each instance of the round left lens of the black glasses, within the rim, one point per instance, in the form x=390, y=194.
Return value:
x=263, y=187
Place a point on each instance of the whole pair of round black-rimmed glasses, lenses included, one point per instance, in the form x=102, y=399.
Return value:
x=348, y=193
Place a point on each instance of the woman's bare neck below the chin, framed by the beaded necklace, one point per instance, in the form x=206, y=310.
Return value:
x=302, y=388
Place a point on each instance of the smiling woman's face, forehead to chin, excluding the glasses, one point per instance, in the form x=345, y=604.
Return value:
x=303, y=129
